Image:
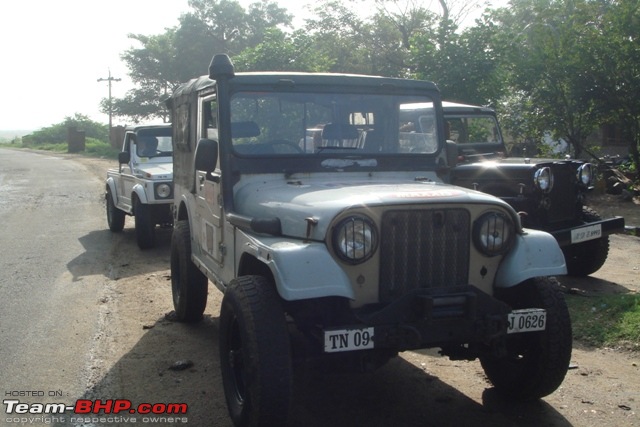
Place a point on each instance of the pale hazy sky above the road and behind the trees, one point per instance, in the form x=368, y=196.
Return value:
x=52, y=53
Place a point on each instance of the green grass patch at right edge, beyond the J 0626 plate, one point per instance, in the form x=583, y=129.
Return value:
x=606, y=321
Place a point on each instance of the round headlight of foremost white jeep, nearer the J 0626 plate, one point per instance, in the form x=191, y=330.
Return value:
x=493, y=233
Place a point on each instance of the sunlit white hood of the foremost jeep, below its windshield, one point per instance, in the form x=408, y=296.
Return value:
x=294, y=201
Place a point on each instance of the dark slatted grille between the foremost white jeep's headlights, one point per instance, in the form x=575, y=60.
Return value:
x=423, y=248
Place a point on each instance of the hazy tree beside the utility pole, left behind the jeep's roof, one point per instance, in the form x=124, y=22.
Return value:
x=164, y=61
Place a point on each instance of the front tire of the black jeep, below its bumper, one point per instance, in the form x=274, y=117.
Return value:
x=587, y=257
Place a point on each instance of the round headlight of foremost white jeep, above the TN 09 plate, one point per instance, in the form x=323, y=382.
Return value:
x=355, y=239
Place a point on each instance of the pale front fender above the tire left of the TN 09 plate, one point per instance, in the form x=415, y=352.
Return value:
x=301, y=270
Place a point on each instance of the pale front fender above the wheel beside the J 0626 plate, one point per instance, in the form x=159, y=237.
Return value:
x=534, y=254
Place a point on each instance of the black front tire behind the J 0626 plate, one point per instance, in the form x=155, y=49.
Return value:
x=536, y=362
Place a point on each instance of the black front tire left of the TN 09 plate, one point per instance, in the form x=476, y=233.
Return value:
x=255, y=354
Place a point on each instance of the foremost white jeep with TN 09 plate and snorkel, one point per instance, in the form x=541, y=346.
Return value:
x=329, y=227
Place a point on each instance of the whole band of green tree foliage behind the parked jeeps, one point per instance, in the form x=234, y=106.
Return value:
x=554, y=69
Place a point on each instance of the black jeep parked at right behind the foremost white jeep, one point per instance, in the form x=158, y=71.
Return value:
x=548, y=194
